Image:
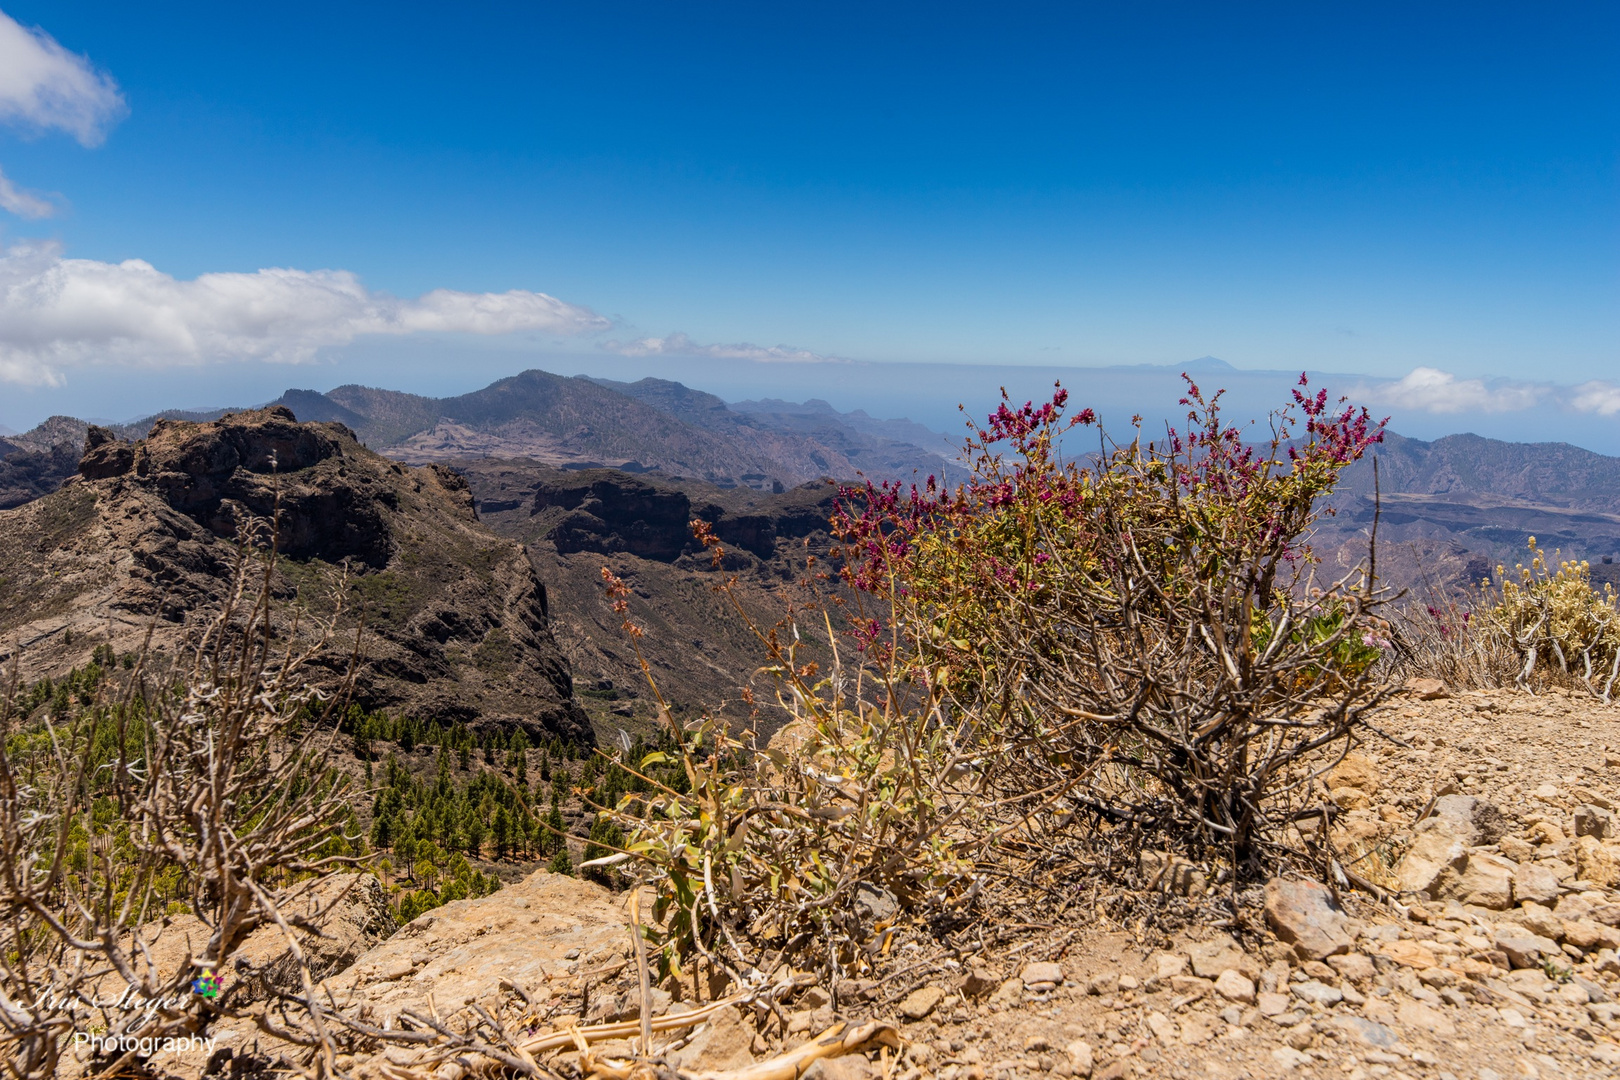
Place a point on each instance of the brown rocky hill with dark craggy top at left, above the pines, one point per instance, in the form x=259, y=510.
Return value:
x=145, y=535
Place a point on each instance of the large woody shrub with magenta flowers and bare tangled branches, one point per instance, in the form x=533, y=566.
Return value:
x=1136, y=629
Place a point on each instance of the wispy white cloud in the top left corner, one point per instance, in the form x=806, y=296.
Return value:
x=45, y=87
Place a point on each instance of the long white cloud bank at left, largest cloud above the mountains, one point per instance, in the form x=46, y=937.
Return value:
x=70, y=313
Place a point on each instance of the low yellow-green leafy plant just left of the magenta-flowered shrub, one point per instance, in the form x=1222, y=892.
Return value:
x=790, y=849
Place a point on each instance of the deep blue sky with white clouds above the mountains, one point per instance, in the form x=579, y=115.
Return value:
x=714, y=189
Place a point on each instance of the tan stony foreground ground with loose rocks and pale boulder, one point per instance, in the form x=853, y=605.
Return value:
x=1493, y=959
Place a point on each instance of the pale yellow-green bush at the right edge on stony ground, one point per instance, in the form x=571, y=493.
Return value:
x=1556, y=616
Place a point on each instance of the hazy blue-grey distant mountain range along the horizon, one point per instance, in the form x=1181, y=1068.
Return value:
x=1451, y=509
